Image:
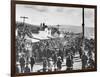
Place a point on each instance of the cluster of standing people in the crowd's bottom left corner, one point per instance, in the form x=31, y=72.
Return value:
x=24, y=65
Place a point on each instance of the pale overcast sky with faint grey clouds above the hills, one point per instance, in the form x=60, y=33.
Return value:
x=53, y=15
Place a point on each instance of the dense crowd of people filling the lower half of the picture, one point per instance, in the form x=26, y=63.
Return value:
x=53, y=59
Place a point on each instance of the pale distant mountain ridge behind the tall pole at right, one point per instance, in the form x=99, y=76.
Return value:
x=89, y=31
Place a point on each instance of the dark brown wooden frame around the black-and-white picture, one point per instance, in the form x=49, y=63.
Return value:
x=13, y=26
